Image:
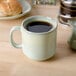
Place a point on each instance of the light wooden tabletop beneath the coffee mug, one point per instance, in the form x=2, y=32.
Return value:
x=14, y=63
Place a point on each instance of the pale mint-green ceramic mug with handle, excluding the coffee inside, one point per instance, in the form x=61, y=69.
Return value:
x=37, y=46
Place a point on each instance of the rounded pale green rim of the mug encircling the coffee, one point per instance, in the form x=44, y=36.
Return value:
x=39, y=16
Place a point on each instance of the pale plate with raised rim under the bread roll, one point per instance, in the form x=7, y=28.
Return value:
x=26, y=8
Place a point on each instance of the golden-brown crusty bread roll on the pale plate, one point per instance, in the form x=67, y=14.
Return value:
x=10, y=7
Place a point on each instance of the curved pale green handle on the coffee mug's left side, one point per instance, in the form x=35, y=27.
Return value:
x=15, y=28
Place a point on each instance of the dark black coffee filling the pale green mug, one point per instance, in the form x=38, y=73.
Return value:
x=38, y=26
